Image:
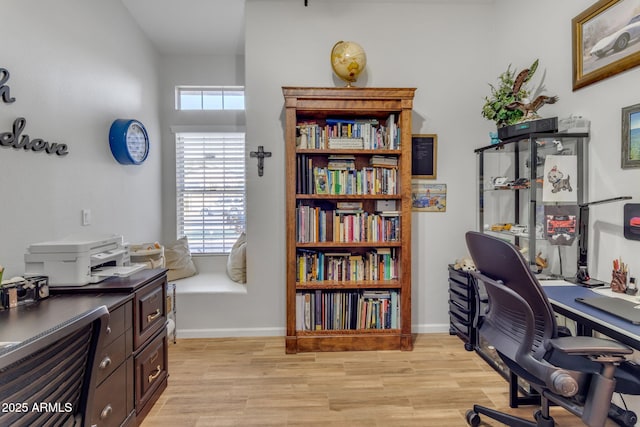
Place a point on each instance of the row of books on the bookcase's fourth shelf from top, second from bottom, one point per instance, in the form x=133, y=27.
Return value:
x=376, y=264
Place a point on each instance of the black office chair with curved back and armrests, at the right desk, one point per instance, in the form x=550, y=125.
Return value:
x=577, y=373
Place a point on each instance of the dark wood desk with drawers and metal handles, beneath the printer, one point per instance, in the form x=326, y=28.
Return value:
x=133, y=366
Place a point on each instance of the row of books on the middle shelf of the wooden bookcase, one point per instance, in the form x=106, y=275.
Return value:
x=313, y=224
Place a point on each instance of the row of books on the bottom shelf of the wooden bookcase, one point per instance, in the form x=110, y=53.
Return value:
x=347, y=310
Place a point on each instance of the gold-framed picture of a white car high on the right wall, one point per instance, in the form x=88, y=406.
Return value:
x=605, y=40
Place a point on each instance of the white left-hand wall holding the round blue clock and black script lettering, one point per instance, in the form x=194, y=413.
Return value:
x=75, y=67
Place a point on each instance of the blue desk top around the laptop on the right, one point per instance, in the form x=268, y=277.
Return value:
x=562, y=298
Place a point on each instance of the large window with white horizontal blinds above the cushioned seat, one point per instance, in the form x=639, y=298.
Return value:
x=210, y=189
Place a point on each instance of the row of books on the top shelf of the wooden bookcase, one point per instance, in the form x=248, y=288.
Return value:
x=367, y=134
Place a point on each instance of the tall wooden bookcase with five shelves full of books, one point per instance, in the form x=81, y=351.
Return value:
x=348, y=213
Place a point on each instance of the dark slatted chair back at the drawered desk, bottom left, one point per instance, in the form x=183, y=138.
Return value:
x=48, y=380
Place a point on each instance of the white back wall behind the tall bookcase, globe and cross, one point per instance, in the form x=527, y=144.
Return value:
x=408, y=45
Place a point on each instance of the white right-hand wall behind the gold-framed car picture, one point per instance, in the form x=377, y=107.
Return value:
x=600, y=102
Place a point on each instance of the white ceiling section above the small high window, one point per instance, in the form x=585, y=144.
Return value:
x=191, y=27
